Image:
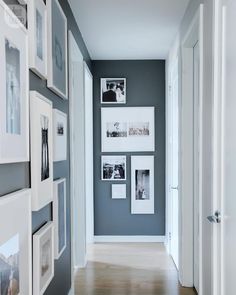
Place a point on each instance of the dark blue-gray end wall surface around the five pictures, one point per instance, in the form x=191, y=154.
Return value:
x=145, y=87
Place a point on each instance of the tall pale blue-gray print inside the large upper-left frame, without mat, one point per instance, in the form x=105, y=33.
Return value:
x=13, y=91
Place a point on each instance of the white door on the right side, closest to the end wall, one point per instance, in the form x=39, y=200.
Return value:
x=174, y=239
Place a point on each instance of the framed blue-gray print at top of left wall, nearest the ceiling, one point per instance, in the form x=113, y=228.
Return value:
x=57, y=49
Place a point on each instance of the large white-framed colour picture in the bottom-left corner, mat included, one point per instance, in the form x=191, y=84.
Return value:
x=15, y=243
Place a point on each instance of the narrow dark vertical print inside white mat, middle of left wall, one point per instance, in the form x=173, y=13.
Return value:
x=44, y=148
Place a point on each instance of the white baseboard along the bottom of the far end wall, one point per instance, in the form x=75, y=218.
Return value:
x=129, y=239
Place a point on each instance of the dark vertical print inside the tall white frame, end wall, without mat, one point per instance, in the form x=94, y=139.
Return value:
x=142, y=184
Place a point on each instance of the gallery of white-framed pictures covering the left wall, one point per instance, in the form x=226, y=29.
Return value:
x=31, y=130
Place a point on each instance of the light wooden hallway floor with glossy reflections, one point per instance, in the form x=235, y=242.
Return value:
x=129, y=269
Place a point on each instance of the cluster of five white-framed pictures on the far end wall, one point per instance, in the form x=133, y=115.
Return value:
x=127, y=129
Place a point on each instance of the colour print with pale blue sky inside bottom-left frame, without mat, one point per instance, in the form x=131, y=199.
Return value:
x=9, y=267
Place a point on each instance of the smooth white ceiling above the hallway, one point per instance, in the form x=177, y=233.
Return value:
x=128, y=29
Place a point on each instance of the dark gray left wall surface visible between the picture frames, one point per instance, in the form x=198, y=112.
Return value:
x=17, y=176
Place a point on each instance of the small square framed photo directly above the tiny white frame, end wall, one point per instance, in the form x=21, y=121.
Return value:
x=113, y=168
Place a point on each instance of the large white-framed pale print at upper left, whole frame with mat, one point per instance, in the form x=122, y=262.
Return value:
x=14, y=85
